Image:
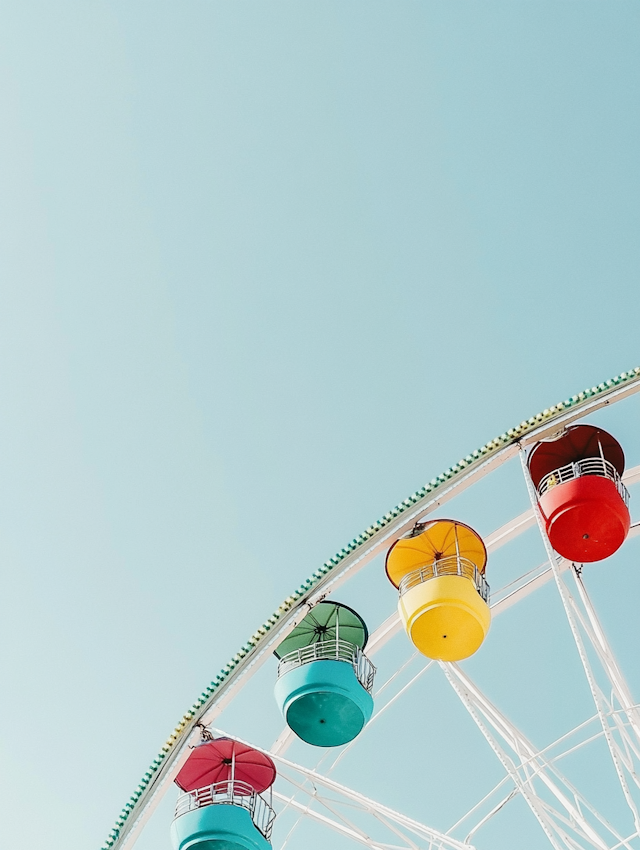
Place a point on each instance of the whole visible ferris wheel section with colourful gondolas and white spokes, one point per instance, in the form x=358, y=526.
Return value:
x=376, y=706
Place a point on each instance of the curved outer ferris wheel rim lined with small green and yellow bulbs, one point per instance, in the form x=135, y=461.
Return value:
x=471, y=468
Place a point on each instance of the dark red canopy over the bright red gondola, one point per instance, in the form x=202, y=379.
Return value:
x=577, y=443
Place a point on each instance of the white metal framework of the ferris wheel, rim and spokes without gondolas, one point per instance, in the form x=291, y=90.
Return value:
x=566, y=817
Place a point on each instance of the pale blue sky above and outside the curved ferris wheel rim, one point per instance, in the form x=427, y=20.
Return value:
x=267, y=268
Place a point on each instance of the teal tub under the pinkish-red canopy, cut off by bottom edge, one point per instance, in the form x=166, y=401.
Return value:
x=217, y=827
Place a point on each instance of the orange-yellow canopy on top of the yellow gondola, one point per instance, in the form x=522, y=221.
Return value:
x=431, y=541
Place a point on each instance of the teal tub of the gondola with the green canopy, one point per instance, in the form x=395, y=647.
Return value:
x=323, y=702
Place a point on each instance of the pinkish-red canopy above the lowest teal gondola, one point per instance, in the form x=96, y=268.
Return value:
x=223, y=759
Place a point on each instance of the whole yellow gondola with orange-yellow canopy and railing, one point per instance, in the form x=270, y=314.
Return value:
x=438, y=569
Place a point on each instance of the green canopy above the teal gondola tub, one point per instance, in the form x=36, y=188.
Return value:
x=327, y=621
